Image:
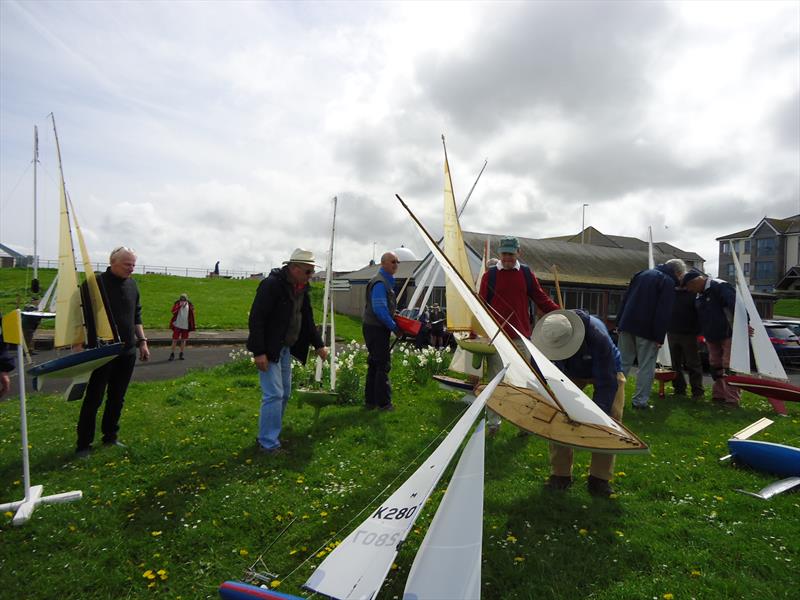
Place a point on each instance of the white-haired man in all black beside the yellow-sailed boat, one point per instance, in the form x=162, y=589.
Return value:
x=121, y=296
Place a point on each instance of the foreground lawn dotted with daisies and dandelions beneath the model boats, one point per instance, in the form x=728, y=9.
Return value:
x=194, y=498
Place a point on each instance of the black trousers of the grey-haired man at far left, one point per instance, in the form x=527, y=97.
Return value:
x=113, y=378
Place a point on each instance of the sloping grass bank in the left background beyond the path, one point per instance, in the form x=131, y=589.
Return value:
x=219, y=303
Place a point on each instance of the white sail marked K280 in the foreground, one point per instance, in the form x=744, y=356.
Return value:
x=358, y=566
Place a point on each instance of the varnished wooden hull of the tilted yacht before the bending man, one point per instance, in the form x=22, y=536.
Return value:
x=529, y=411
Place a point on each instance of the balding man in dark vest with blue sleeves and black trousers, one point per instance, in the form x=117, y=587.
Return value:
x=377, y=324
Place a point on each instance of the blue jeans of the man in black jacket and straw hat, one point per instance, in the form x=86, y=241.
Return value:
x=276, y=386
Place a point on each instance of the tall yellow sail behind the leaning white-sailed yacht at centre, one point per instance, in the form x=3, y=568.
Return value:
x=459, y=317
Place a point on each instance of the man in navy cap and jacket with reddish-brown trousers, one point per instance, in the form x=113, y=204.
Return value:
x=716, y=302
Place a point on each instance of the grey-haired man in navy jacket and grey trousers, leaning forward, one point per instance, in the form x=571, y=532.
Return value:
x=642, y=322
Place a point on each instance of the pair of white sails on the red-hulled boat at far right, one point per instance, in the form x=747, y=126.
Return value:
x=767, y=360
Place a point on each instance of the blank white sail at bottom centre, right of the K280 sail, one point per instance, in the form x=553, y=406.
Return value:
x=448, y=563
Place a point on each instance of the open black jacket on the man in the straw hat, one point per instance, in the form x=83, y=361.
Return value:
x=269, y=319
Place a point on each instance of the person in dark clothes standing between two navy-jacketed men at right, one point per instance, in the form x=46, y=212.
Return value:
x=684, y=327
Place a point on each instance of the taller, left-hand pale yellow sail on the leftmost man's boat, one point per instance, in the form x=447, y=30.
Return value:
x=69, y=328
